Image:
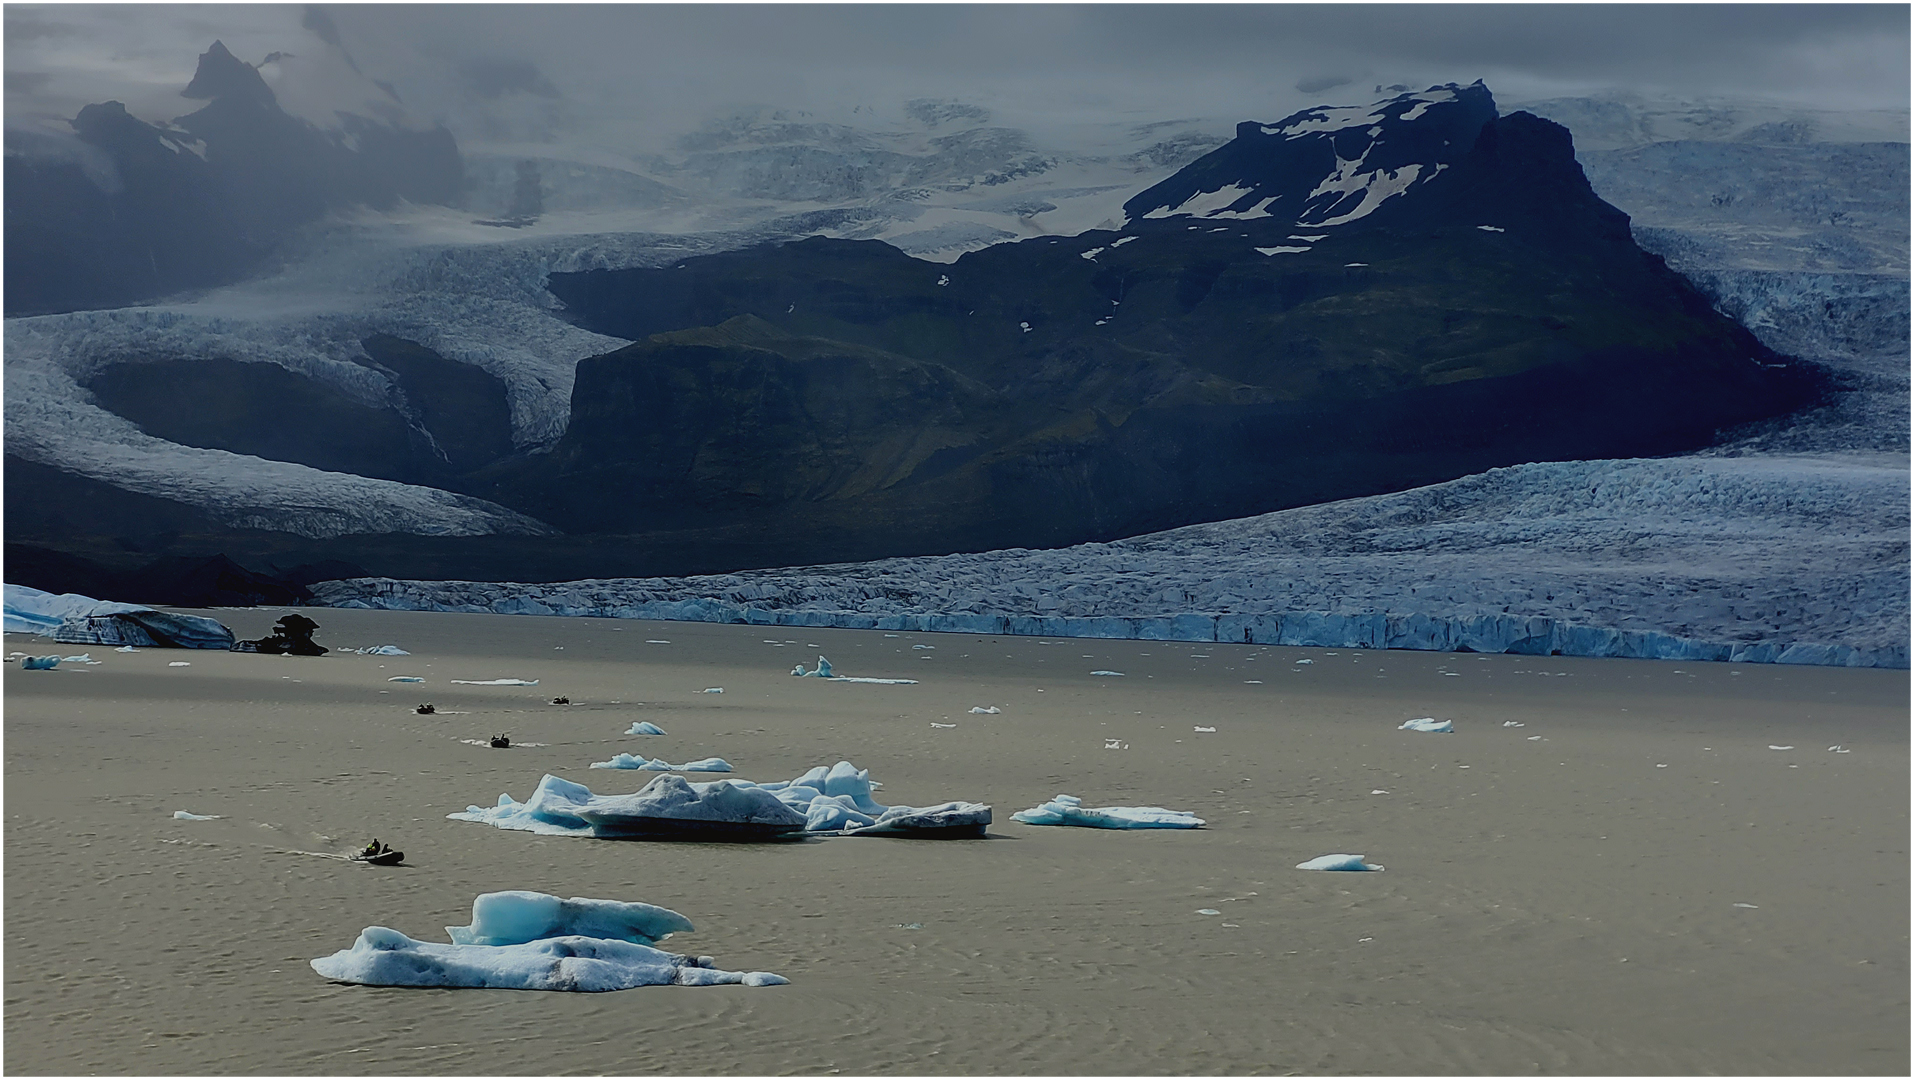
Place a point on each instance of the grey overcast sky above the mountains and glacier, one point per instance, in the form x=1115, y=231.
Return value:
x=673, y=66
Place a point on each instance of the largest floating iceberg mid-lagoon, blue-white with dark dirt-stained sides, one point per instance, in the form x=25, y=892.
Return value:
x=828, y=799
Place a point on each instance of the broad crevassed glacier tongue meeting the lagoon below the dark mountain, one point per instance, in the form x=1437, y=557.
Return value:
x=1708, y=558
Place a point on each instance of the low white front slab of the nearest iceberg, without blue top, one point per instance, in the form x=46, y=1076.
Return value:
x=389, y=958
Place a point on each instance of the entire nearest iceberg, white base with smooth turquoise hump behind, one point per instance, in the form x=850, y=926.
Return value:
x=531, y=941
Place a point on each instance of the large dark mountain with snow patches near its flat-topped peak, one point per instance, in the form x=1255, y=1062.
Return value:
x=1337, y=305
